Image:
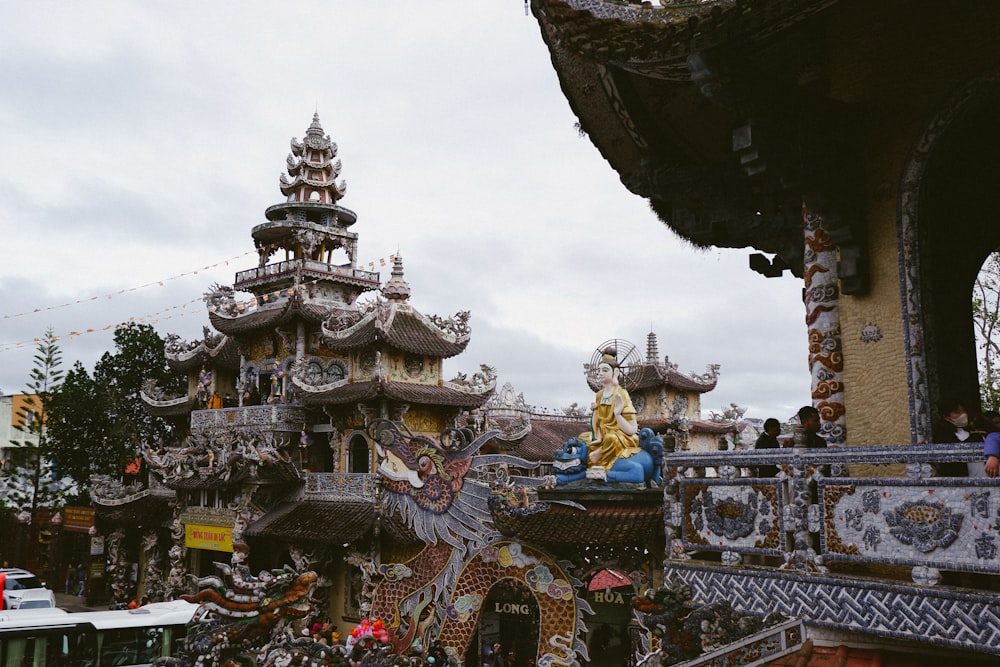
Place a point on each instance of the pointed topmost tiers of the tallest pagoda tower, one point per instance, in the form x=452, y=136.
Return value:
x=313, y=167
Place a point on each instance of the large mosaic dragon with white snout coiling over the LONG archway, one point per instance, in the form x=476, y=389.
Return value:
x=438, y=594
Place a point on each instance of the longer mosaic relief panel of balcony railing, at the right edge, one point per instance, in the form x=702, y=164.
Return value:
x=912, y=522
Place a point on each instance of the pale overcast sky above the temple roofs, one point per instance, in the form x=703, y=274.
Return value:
x=141, y=142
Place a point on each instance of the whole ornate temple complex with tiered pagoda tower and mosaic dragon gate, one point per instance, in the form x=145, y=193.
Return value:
x=318, y=431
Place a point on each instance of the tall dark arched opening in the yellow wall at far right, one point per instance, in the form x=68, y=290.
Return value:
x=946, y=229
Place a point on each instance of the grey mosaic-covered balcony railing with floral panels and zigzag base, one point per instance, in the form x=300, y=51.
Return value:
x=855, y=540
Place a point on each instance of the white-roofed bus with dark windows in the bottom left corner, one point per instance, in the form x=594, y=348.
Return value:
x=54, y=638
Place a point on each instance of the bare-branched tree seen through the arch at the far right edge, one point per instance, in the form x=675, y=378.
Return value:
x=986, y=319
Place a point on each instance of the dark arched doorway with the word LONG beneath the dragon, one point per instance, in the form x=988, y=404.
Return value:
x=510, y=618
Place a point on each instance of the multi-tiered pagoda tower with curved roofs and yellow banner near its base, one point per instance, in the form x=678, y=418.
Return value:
x=274, y=456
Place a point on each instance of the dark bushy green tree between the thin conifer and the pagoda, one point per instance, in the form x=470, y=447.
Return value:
x=98, y=423
